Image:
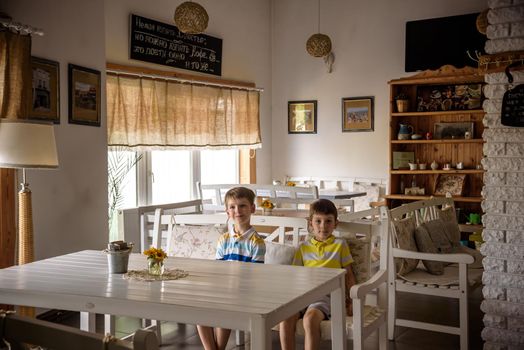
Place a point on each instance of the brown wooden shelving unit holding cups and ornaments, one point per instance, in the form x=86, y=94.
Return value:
x=443, y=151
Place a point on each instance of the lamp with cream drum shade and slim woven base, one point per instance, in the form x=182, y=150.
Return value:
x=26, y=145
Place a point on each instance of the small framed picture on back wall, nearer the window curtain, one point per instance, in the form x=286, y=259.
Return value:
x=302, y=117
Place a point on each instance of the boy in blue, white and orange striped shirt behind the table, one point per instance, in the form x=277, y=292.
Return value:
x=241, y=243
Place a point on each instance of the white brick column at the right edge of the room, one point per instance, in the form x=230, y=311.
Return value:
x=503, y=191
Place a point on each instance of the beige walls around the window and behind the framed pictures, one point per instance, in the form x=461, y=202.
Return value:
x=264, y=43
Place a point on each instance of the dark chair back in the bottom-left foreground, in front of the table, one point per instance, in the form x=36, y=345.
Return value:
x=19, y=330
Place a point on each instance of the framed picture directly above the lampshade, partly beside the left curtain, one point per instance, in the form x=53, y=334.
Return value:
x=43, y=101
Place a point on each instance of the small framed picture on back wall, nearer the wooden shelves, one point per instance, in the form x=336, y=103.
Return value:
x=357, y=114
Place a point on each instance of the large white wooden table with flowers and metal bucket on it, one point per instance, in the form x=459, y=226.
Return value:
x=249, y=297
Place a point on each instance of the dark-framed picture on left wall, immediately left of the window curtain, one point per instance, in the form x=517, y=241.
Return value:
x=84, y=96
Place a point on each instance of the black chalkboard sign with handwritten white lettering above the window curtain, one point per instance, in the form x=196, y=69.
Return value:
x=161, y=43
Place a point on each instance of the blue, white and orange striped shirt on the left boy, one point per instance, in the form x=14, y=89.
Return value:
x=247, y=247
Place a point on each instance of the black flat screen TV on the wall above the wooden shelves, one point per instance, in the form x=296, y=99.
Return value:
x=432, y=43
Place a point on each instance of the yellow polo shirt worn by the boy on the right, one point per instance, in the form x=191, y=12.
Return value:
x=333, y=252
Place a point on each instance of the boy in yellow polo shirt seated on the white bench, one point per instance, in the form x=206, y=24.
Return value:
x=322, y=250
